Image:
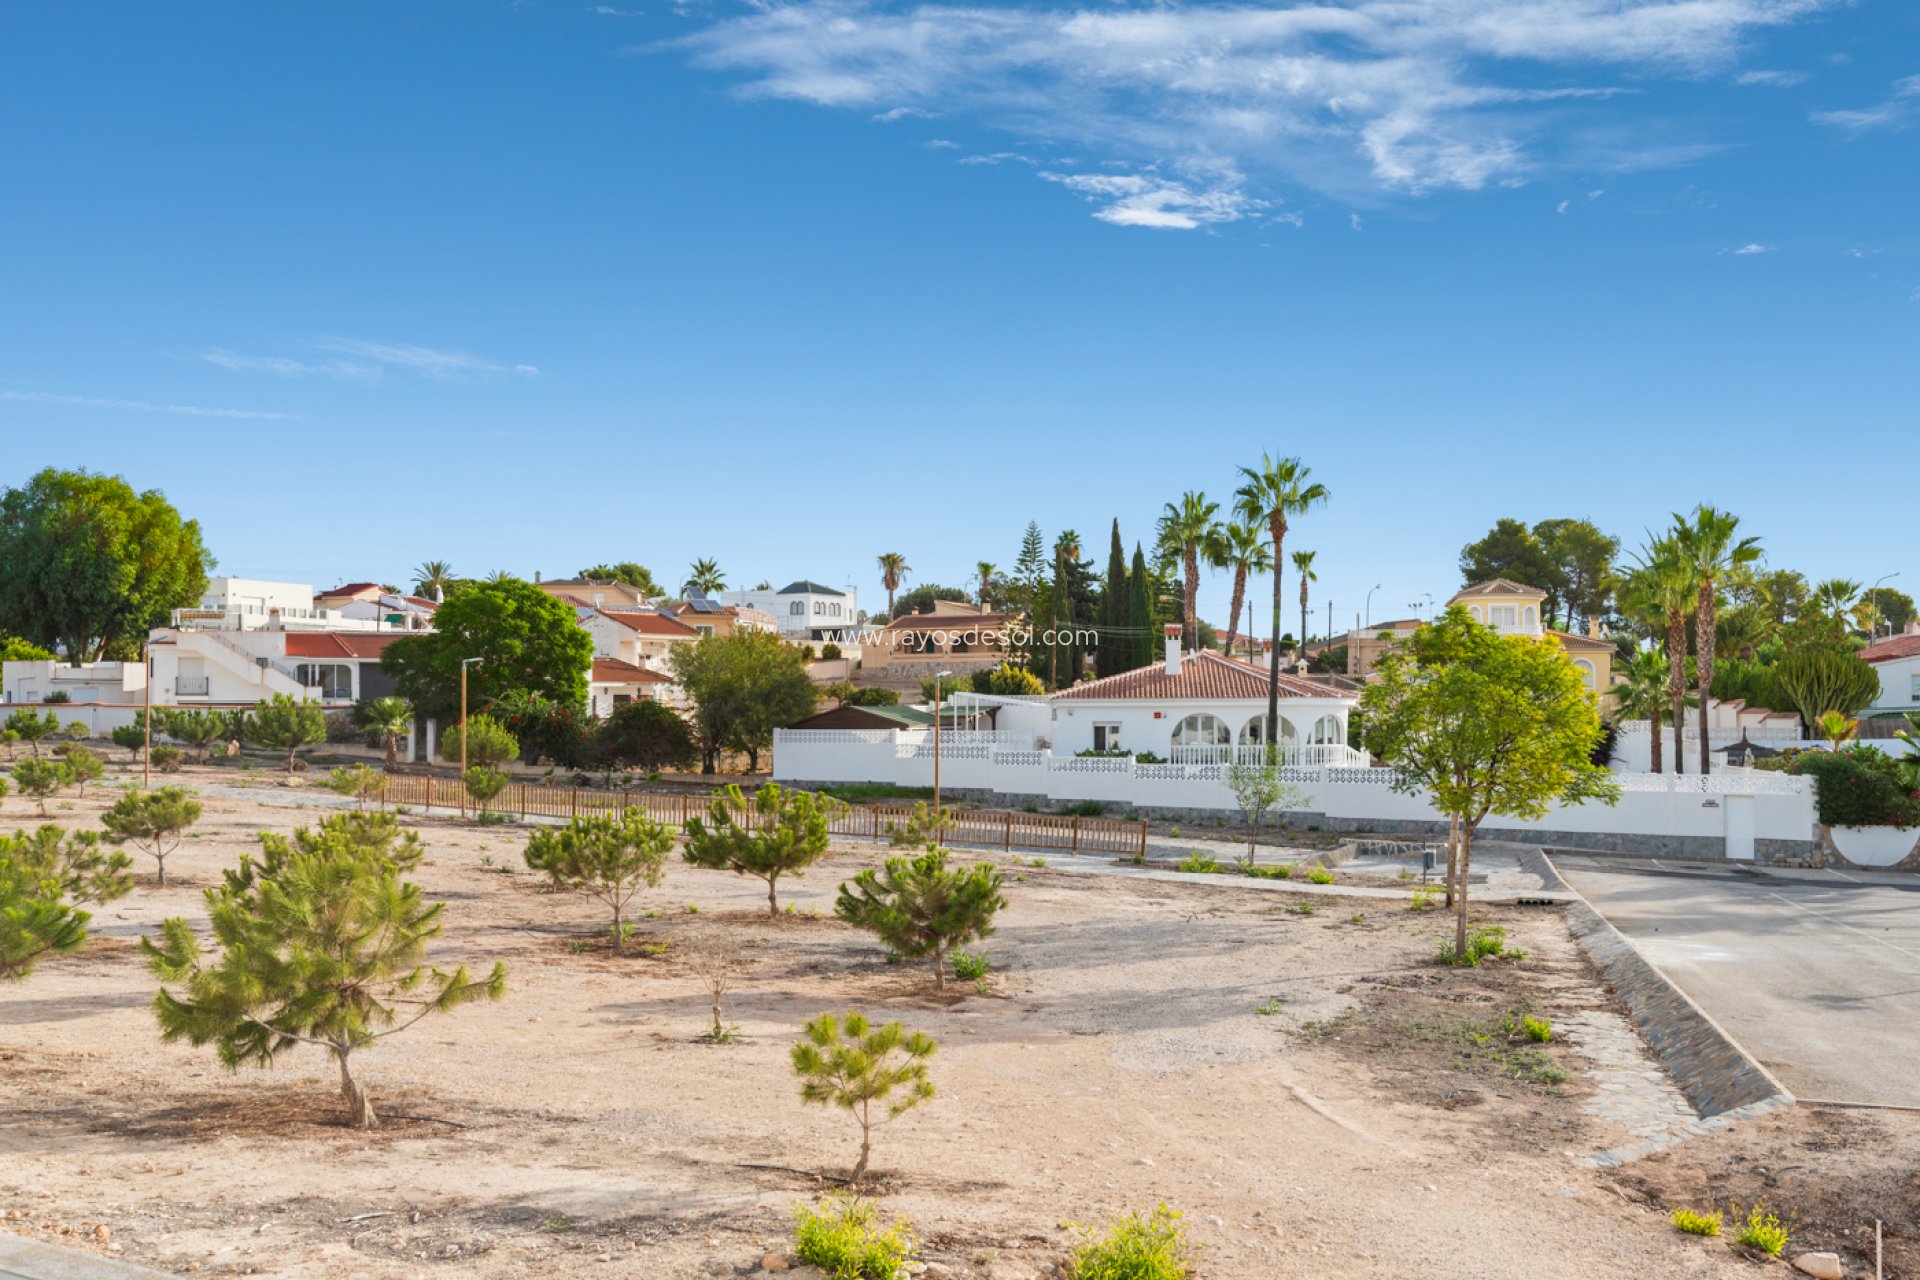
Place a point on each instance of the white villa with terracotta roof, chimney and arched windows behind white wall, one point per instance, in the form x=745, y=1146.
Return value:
x=1205, y=709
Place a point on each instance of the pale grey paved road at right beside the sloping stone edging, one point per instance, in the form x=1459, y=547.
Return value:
x=1817, y=974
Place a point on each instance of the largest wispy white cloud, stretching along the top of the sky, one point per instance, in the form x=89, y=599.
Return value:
x=1347, y=99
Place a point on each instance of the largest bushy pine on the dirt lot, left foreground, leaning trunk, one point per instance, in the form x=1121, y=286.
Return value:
x=320, y=947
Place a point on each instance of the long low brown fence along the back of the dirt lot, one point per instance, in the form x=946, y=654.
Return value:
x=875, y=822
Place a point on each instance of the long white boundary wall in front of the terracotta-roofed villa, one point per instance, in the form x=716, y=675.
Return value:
x=1658, y=813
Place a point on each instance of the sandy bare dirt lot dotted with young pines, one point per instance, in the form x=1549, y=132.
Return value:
x=1310, y=1091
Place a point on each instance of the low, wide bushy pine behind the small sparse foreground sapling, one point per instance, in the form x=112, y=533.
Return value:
x=919, y=907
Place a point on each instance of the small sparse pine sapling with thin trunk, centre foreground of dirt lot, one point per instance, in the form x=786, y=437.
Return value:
x=857, y=1068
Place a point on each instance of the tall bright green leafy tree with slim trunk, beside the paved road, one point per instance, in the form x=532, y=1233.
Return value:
x=1485, y=724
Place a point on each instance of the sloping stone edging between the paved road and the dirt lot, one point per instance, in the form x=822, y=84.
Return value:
x=1719, y=1079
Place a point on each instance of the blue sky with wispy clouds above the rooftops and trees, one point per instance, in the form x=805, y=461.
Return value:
x=788, y=285
